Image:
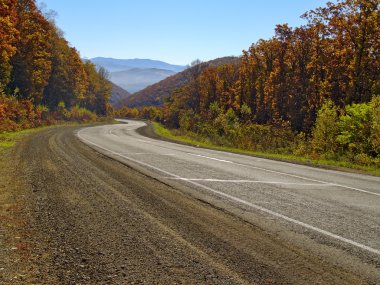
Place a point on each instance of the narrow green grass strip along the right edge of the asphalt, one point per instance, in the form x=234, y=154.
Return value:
x=330, y=164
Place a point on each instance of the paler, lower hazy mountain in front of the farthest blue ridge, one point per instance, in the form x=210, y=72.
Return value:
x=136, y=79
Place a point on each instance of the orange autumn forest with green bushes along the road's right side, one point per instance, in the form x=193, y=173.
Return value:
x=312, y=91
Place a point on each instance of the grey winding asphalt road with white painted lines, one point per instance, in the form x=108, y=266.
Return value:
x=335, y=208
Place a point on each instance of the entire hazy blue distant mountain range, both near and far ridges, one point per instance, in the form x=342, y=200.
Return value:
x=136, y=74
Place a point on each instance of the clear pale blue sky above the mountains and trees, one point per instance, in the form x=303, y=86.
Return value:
x=175, y=31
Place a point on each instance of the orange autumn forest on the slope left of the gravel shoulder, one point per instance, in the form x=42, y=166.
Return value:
x=42, y=78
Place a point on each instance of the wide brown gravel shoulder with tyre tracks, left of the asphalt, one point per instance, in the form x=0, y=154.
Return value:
x=88, y=219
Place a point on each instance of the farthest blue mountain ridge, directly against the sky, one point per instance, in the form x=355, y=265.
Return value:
x=113, y=64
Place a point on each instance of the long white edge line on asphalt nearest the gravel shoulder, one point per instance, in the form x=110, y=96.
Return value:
x=241, y=201
